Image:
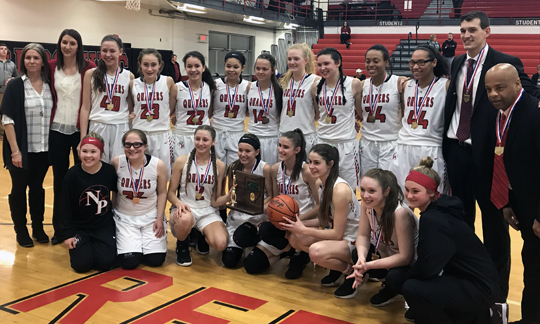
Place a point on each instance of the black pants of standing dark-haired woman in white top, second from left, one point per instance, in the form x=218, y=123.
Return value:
x=60, y=147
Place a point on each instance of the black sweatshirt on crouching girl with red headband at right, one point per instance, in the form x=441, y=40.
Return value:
x=446, y=243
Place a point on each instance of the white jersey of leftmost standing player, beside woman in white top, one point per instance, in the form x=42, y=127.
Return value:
x=119, y=114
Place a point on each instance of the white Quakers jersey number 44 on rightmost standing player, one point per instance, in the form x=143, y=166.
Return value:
x=429, y=131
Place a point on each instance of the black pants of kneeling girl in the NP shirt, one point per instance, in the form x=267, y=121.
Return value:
x=95, y=249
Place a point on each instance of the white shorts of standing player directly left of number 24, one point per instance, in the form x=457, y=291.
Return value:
x=349, y=161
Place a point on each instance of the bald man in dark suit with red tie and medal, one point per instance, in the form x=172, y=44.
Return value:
x=512, y=150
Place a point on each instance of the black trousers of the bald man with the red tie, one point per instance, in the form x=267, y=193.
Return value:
x=530, y=255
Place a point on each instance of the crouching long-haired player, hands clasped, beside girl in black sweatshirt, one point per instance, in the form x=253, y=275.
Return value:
x=387, y=238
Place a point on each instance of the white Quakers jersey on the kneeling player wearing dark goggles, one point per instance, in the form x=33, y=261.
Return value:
x=148, y=185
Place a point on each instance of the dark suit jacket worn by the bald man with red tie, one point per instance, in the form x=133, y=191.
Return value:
x=521, y=158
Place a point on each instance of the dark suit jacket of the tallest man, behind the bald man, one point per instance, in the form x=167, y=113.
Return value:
x=483, y=110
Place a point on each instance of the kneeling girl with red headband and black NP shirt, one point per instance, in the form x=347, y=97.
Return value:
x=87, y=211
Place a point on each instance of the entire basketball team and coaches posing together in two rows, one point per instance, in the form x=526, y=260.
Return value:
x=470, y=130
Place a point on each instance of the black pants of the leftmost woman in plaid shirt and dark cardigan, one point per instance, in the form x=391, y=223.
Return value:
x=31, y=178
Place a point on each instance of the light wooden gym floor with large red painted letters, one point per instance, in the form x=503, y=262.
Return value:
x=37, y=286
